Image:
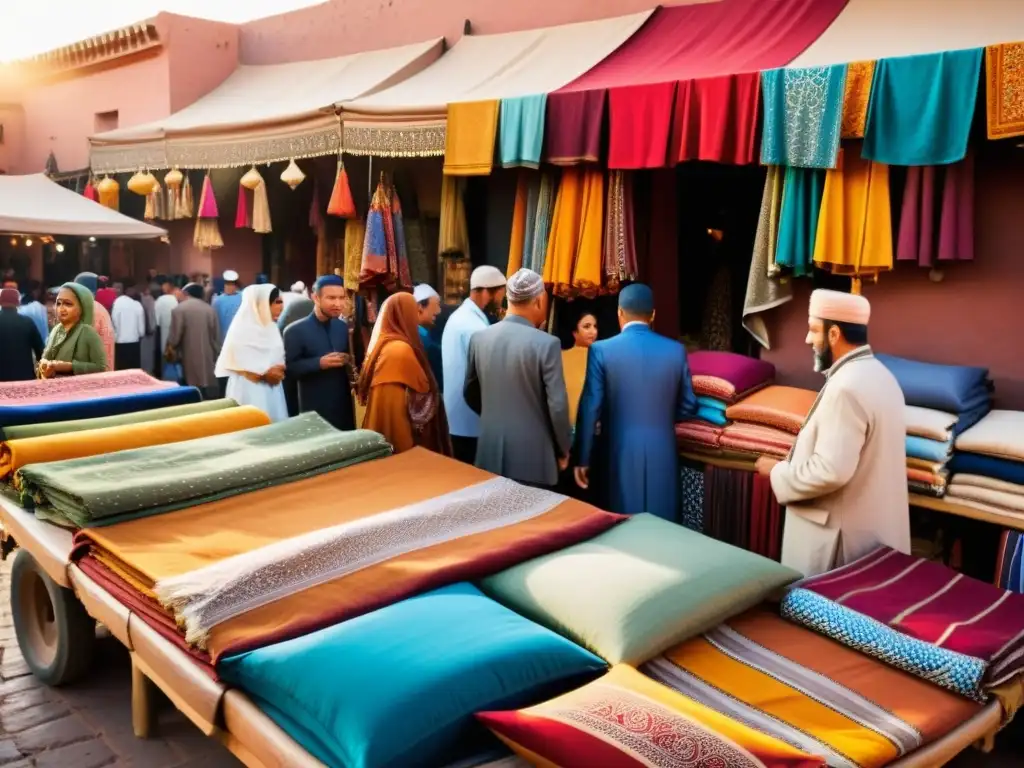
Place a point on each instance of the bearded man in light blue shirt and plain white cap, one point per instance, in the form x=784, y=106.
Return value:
x=487, y=291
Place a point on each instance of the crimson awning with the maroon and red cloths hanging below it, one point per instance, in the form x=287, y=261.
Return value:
x=687, y=87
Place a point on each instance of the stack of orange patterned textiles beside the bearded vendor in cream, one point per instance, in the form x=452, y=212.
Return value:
x=767, y=422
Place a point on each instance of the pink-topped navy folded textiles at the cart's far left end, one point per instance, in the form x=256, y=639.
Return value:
x=88, y=397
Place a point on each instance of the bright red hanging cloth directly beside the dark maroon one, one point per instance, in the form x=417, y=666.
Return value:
x=639, y=125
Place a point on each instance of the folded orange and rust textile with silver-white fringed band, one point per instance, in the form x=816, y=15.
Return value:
x=240, y=573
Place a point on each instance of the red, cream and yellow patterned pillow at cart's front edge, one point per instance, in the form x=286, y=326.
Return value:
x=626, y=720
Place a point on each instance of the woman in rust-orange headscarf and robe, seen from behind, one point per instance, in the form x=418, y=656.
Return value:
x=397, y=386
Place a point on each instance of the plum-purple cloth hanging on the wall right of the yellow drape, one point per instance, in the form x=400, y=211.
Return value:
x=952, y=239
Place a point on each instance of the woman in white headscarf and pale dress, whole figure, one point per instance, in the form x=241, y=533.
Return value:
x=253, y=356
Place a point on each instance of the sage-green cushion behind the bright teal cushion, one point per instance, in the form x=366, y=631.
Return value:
x=638, y=589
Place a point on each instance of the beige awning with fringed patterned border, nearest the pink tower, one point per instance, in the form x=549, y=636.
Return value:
x=262, y=114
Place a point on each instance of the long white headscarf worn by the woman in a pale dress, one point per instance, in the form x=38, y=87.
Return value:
x=253, y=343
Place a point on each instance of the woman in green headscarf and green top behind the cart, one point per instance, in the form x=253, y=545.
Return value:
x=74, y=347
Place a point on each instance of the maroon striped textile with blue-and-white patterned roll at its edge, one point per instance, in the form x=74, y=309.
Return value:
x=923, y=618
